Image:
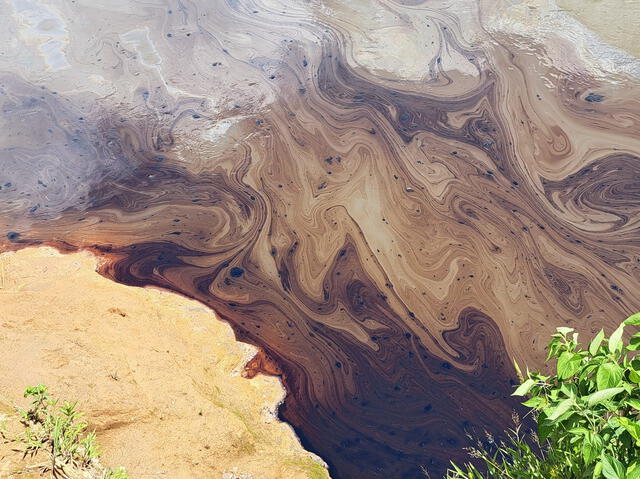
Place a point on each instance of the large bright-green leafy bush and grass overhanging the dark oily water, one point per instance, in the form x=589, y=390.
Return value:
x=587, y=415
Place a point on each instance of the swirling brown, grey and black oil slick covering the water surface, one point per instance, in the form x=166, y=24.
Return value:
x=393, y=199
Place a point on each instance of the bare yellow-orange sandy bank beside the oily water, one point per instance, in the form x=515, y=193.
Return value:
x=158, y=375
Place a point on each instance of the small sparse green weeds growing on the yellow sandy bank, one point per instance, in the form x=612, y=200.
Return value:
x=59, y=432
